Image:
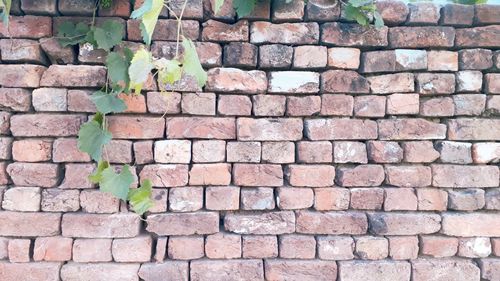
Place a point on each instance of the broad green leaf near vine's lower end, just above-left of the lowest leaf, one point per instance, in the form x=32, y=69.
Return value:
x=116, y=184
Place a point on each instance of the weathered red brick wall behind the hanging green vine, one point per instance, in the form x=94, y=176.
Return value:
x=318, y=150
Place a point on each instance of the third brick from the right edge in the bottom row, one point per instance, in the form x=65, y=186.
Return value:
x=378, y=270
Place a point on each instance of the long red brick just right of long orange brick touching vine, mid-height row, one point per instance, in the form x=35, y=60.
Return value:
x=204, y=128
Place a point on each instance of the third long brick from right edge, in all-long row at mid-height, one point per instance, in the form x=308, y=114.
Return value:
x=337, y=129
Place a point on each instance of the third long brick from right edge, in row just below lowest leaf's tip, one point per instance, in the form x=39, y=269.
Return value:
x=309, y=222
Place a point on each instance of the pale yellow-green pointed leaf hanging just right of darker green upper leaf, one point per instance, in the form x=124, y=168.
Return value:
x=140, y=67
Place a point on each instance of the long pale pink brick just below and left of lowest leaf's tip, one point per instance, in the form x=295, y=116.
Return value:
x=100, y=225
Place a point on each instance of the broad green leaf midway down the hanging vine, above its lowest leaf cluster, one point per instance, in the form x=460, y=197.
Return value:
x=92, y=137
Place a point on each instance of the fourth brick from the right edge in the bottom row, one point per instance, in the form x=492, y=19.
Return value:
x=295, y=270
